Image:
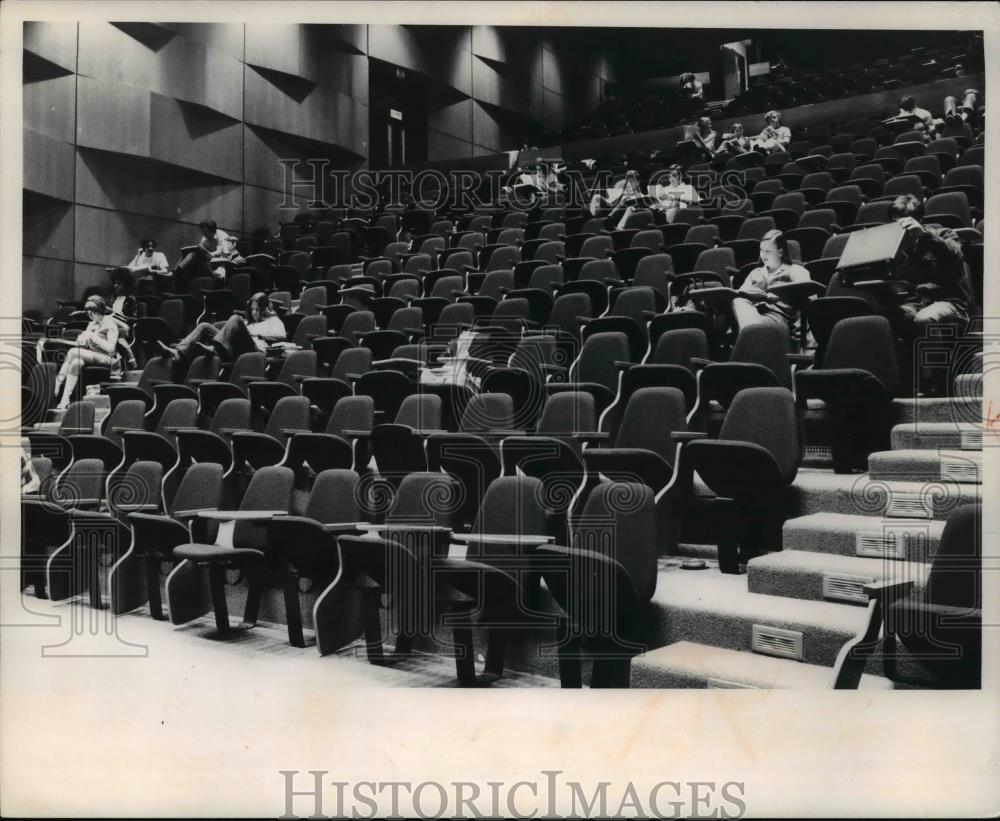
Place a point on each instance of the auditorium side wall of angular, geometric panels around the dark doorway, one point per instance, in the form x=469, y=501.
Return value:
x=135, y=129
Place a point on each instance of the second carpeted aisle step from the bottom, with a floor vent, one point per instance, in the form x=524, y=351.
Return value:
x=708, y=607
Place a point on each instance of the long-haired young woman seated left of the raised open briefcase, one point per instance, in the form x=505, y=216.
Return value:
x=756, y=303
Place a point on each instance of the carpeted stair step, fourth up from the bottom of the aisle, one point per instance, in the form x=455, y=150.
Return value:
x=840, y=534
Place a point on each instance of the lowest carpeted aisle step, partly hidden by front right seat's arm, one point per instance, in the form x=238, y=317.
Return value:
x=687, y=664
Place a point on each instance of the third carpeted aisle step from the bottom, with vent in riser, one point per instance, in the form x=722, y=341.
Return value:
x=799, y=574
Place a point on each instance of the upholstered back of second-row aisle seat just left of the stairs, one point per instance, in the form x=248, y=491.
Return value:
x=766, y=417
